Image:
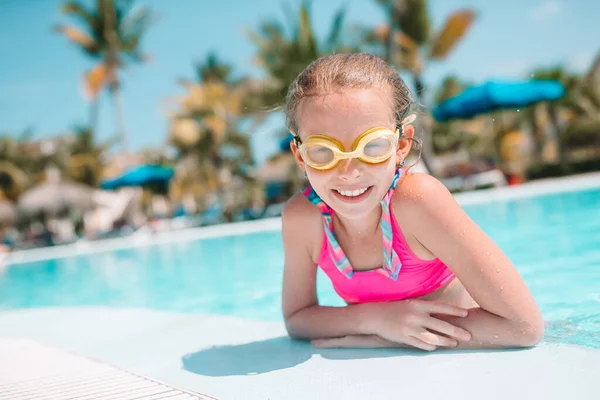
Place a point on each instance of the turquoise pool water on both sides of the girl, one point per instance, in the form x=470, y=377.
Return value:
x=554, y=240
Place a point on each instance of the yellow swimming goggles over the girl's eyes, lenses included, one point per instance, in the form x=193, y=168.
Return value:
x=373, y=147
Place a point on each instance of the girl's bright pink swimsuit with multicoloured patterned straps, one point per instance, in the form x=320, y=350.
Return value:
x=403, y=274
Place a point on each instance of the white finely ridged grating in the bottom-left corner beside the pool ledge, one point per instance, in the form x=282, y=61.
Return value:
x=32, y=371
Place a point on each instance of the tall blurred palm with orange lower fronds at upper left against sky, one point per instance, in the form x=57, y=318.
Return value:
x=111, y=34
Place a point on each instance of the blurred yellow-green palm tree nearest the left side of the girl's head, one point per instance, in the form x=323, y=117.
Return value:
x=205, y=130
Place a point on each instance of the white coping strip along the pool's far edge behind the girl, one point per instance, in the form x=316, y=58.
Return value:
x=529, y=189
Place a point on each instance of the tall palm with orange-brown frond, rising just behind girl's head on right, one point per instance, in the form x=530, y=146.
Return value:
x=405, y=40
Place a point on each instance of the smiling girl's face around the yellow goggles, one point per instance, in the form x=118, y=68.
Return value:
x=352, y=188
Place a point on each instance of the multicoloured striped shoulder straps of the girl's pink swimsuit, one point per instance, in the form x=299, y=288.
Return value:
x=392, y=263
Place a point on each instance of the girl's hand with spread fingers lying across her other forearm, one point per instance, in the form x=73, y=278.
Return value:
x=413, y=322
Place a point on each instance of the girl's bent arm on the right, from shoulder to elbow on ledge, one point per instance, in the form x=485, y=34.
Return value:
x=509, y=314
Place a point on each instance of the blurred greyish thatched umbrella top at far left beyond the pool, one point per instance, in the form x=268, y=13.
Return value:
x=55, y=198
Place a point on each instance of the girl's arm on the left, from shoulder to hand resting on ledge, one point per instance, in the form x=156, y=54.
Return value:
x=402, y=322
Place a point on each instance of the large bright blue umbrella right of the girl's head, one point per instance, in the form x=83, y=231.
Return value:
x=493, y=96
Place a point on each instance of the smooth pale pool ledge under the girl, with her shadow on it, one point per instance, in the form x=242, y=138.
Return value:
x=232, y=358
